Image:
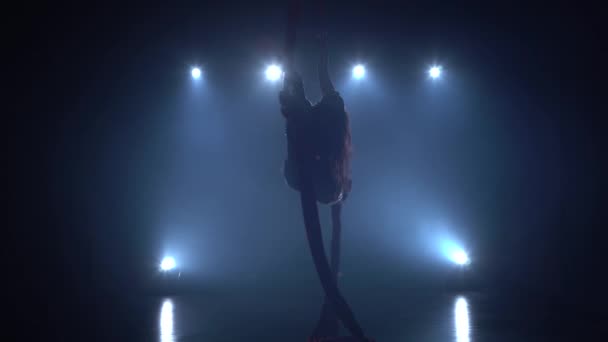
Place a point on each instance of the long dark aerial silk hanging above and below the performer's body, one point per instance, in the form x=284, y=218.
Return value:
x=308, y=201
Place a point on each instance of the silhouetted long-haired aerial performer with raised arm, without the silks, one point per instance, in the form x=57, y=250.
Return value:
x=326, y=134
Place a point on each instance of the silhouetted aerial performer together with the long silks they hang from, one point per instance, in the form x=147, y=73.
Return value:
x=317, y=165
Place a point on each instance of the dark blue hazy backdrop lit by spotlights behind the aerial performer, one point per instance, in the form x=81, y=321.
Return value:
x=121, y=158
